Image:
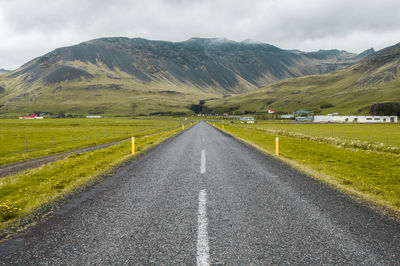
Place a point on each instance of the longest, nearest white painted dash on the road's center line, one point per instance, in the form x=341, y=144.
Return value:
x=203, y=256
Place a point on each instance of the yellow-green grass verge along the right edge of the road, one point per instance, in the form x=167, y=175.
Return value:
x=371, y=176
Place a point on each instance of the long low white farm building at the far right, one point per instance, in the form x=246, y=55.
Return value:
x=354, y=119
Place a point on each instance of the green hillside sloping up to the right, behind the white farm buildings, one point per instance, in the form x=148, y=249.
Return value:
x=370, y=86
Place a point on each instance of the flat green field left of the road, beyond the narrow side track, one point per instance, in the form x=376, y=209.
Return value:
x=26, y=139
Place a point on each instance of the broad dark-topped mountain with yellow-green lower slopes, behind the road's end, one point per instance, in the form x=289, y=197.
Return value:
x=133, y=76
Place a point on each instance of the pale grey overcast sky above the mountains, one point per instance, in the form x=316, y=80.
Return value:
x=31, y=28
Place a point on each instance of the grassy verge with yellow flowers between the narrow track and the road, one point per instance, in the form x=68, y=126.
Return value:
x=23, y=194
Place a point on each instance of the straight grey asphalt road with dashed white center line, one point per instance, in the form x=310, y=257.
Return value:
x=205, y=198
